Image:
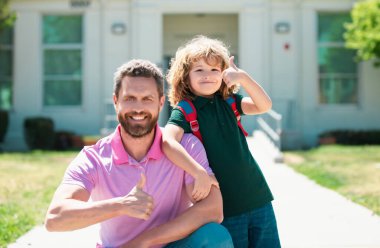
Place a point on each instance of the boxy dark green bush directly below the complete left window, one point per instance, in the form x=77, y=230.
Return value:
x=39, y=133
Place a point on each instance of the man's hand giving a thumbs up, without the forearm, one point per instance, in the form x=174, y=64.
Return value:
x=137, y=203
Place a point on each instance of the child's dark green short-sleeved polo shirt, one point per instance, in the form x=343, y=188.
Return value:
x=241, y=181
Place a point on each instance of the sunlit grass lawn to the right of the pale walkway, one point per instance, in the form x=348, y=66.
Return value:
x=353, y=171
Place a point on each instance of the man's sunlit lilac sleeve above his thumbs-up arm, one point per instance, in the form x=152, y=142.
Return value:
x=81, y=172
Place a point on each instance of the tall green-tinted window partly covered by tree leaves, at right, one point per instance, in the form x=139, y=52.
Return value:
x=338, y=80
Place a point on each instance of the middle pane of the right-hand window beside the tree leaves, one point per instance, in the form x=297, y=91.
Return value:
x=336, y=60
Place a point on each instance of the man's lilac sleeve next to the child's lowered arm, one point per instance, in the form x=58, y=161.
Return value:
x=196, y=150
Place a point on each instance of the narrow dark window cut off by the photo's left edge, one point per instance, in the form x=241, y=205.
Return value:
x=6, y=68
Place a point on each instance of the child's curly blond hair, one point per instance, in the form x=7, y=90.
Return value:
x=200, y=47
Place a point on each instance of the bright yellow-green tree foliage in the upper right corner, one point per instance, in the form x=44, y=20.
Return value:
x=363, y=33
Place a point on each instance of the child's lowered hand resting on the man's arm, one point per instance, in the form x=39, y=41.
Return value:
x=202, y=185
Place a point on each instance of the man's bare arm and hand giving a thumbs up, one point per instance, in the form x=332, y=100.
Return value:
x=70, y=209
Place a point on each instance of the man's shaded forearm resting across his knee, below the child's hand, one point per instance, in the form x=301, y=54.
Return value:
x=202, y=212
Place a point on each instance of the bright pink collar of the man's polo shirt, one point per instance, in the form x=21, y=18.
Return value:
x=120, y=156
